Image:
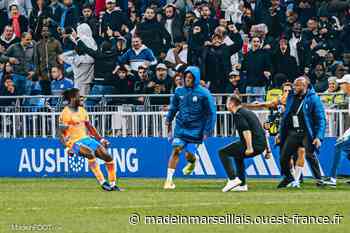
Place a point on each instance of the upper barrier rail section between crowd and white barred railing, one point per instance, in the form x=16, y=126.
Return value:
x=106, y=103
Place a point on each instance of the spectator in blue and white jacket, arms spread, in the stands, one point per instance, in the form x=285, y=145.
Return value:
x=137, y=55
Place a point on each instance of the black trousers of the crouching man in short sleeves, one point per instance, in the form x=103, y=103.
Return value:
x=236, y=150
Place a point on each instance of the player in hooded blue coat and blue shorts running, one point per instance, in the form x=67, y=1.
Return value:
x=195, y=120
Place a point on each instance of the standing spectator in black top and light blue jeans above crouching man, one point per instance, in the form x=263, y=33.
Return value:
x=257, y=65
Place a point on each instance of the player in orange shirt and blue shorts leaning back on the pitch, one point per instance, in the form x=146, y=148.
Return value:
x=82, y=139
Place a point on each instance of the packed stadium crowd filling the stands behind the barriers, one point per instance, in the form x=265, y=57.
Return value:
x=142, y=47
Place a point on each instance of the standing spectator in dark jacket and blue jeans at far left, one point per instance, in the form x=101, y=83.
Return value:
x=21, y=56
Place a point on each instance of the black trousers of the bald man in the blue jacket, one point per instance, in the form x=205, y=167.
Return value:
x=293, y=141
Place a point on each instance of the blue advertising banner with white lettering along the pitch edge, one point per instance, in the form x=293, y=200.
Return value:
x=138, y=157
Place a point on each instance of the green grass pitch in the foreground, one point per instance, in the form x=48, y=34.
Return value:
x=78, y=205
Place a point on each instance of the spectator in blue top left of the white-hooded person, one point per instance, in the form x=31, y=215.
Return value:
x=59, y=83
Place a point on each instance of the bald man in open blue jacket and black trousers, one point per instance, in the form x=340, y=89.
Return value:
x=303, y=125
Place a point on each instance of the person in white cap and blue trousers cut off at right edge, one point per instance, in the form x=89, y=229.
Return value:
x=342, y=147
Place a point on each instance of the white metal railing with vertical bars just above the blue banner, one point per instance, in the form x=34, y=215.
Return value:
x=122, y=122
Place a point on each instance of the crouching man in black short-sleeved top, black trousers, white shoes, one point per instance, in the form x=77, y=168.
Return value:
x=252, y=142
